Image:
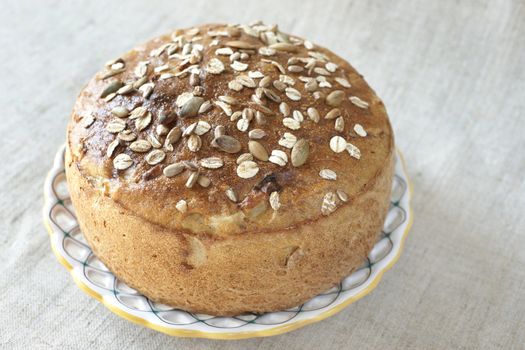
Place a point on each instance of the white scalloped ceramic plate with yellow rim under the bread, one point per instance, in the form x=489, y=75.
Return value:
x=95, y=279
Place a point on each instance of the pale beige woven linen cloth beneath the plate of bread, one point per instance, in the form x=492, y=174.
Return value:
x=453, y=79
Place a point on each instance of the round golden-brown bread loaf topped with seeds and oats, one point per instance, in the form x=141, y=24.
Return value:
x=225, y=169
